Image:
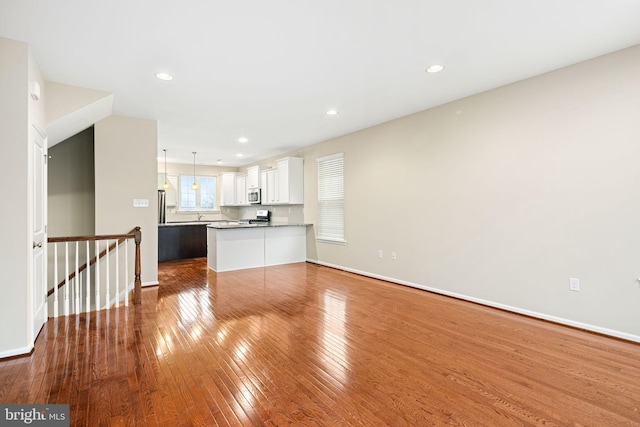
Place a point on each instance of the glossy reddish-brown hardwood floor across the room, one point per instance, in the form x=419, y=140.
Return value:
x=302, y=344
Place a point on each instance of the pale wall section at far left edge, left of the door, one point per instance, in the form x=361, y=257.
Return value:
x=14, y=251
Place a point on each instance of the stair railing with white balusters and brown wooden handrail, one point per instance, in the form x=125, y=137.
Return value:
x=81, y=289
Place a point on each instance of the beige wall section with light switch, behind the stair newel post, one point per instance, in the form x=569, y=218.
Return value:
x=126, y=169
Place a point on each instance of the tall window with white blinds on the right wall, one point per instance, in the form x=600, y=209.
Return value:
x=331, y=198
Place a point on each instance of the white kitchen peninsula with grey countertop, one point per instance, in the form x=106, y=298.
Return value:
x=234, y=245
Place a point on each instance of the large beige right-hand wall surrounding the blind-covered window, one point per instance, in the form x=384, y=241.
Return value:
x=503, y=196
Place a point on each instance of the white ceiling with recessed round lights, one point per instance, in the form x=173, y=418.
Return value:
x=268, y=70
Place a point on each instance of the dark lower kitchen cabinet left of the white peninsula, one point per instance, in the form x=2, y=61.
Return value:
x=182, y=242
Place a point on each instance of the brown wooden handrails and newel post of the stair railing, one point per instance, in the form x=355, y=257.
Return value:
x=135, y=234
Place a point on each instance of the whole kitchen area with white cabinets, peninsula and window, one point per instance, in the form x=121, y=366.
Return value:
x=255, y=218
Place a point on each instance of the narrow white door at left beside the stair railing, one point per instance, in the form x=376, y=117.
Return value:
x=39, y=221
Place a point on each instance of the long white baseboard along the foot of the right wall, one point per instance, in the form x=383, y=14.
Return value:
x=543, y=316
